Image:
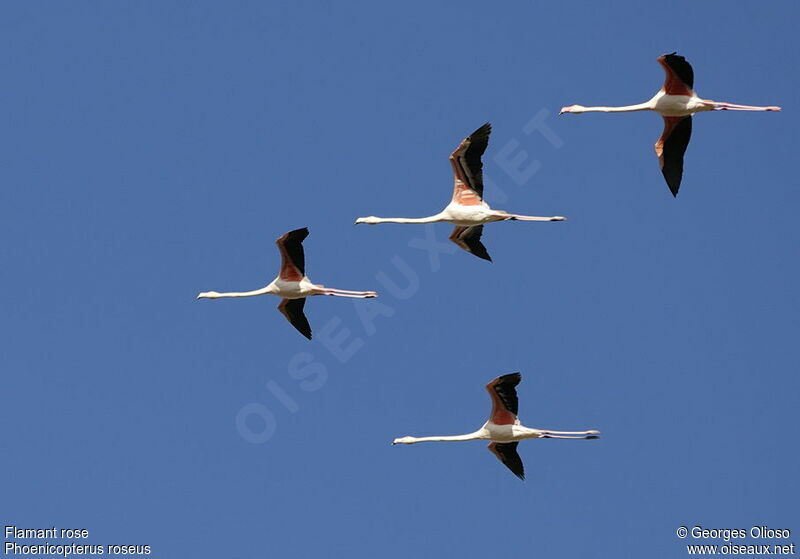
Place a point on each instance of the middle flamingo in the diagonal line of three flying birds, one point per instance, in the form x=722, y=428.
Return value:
x=466, y=210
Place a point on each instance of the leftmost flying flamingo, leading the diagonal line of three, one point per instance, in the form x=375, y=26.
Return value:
x=292, y=284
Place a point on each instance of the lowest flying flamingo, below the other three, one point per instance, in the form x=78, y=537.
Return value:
x=503, y=428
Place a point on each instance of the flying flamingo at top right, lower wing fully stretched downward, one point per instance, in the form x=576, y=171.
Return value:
x=676, y=101
